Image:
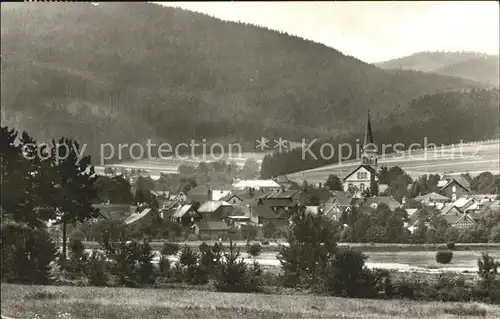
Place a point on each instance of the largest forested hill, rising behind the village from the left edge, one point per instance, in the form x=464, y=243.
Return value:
x=125, y=72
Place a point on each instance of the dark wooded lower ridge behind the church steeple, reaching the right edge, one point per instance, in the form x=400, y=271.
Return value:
x=442, y=119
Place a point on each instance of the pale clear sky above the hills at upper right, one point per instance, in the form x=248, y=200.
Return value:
x=372, y=31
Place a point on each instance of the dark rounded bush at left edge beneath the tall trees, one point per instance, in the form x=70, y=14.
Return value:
x=26, y=254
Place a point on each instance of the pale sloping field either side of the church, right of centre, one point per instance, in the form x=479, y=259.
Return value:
x=472, y=158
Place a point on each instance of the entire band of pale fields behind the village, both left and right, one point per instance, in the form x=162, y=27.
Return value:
x=472, y=158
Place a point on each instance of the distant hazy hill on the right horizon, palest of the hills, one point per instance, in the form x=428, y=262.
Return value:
x=469, y=65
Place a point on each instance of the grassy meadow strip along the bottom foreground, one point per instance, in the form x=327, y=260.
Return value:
x=19, y=301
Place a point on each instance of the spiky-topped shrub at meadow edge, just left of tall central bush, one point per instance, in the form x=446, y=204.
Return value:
x=233, y=274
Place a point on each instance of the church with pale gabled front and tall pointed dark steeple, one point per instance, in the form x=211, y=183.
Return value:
x=365, y=176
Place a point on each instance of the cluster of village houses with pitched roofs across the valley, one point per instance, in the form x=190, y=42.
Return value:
x=213, y=212
